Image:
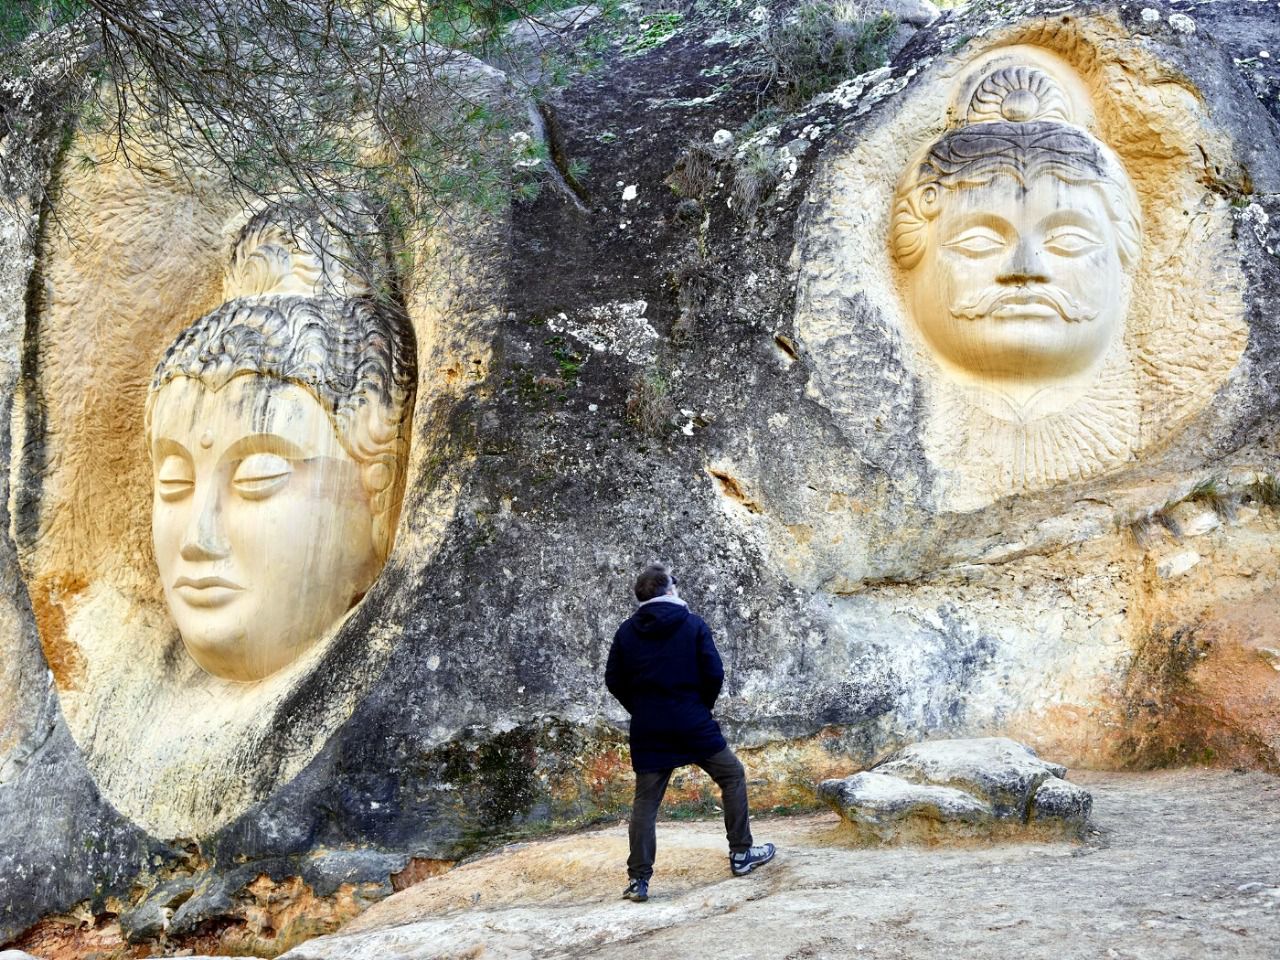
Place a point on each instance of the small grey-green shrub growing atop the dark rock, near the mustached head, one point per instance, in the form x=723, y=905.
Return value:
x=820, y=47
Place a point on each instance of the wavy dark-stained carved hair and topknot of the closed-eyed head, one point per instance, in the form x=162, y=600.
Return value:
x=356, y=356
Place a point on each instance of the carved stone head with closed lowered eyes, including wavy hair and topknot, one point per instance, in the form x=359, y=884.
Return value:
x=278, y=437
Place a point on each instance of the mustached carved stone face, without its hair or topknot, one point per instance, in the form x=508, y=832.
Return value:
x=1021, y=284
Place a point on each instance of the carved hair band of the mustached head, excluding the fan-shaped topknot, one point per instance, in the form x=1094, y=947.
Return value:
x=977, y=154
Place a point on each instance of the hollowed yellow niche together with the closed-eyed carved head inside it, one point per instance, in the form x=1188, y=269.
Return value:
x=203, y=505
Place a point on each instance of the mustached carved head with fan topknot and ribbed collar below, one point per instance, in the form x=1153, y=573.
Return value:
x=1018, y=235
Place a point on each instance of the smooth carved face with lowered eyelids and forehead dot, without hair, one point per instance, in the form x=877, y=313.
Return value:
x=260, y=524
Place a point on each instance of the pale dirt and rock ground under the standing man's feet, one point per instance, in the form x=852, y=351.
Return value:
x=1185, y=865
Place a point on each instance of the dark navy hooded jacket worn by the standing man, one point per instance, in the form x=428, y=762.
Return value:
x=665, y=670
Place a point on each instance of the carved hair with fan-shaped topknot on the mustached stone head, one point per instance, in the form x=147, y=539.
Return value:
x=1017, y=129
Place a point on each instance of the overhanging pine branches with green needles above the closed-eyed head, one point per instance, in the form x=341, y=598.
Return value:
x=348, y=107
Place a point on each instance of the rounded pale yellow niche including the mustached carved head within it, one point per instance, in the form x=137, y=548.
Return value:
x=1035, y=226
